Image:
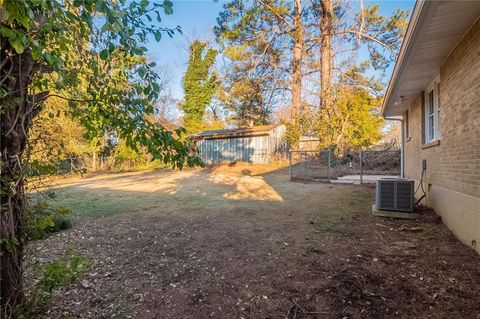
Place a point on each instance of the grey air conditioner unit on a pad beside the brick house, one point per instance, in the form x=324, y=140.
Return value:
x=394, y=194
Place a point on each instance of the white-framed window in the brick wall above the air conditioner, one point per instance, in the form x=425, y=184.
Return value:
x=432, y=112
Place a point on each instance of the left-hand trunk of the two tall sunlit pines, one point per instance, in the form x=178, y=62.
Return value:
x=298, y=40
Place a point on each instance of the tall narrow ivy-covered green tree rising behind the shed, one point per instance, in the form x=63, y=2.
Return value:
x=199, y=84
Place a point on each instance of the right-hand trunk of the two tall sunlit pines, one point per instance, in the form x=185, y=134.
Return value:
x=326, y=30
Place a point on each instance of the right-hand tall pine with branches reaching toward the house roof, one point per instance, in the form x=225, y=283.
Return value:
x=341, y=32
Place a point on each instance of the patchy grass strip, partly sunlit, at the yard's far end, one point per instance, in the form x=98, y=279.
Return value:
x=181, y=192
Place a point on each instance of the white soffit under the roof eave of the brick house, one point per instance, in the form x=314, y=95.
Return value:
x=435, y=29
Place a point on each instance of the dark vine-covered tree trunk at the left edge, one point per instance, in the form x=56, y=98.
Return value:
x=17, y=111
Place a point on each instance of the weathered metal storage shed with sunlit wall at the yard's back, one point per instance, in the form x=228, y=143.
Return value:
x=258, y=144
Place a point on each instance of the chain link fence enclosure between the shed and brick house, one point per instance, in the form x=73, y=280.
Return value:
x=348, y=166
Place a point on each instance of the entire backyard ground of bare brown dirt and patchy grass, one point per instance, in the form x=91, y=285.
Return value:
x=245, y=243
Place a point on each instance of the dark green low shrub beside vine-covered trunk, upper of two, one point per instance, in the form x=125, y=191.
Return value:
x=44, y=219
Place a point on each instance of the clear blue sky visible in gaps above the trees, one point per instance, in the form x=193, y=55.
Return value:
x=197, y=18
